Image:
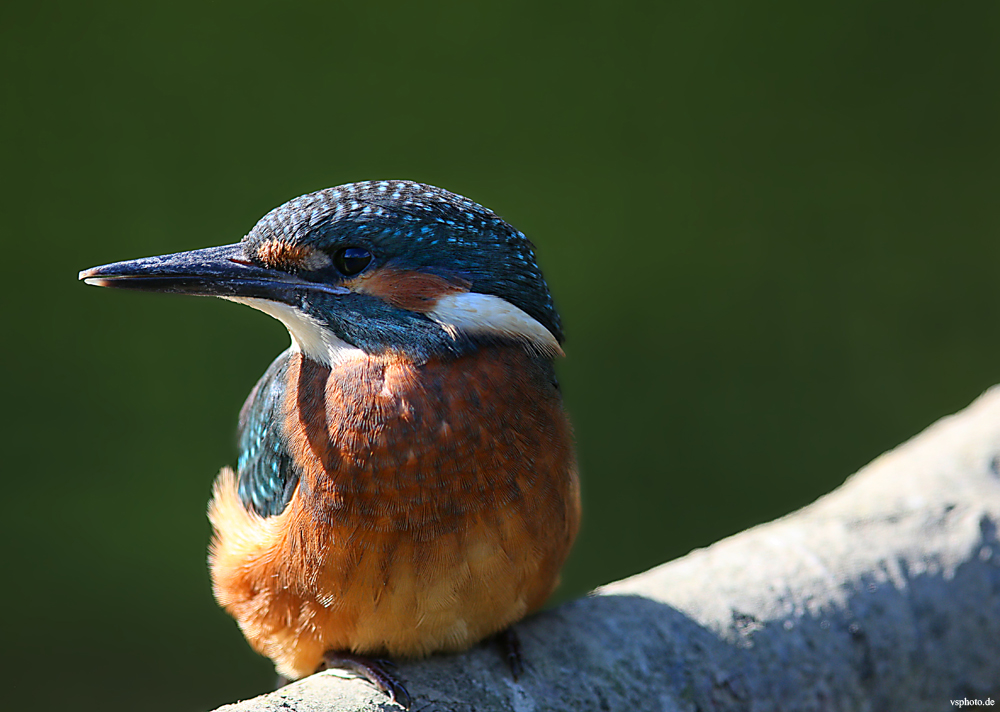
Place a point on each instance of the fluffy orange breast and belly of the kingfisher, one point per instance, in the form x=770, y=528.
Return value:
x=436, y=505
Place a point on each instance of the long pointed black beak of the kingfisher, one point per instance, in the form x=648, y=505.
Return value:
x=212, y=272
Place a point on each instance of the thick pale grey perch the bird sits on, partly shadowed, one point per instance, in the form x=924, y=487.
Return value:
x=883, y=595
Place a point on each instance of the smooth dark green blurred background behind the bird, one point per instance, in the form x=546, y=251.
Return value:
x=771, y=228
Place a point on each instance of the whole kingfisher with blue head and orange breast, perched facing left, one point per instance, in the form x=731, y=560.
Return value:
x=406, y=481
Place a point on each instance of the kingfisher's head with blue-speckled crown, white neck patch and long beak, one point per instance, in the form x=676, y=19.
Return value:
x=378, y=266
